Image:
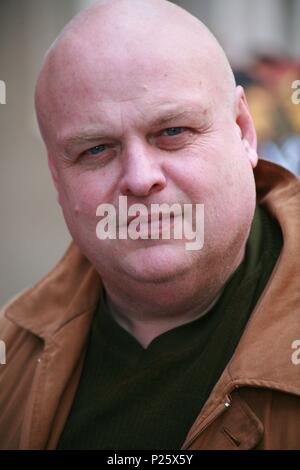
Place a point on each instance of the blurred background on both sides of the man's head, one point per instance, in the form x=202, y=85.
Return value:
x=262, y=40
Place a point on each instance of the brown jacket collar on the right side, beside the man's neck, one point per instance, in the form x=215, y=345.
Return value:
x=264, y=354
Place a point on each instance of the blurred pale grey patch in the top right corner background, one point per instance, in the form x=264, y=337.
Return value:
x=244, y=26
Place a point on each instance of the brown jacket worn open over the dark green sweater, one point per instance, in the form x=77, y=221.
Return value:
x=254, y=405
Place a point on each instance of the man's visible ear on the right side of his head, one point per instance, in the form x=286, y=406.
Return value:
x=245, y=123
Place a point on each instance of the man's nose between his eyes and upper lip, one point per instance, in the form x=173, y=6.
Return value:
x=142, y=172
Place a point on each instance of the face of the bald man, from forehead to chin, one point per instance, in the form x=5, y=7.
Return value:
x=156, y=133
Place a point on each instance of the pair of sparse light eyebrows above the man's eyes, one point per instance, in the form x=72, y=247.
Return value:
x=94, y=136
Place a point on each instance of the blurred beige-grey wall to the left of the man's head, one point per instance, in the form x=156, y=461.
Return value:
x=32, y=231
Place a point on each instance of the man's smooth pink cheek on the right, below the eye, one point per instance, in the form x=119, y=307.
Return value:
x=216, y=173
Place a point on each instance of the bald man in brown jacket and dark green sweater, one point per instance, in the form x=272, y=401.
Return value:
x=139, y=342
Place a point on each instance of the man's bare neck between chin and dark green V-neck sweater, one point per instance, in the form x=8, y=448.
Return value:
x=146, y=310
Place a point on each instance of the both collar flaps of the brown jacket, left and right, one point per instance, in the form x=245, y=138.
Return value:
x=263, y=356
